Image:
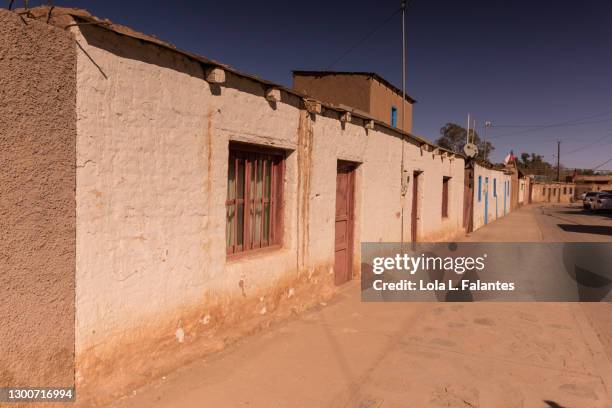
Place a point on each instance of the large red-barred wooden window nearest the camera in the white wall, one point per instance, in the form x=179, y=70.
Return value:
x=254, y=198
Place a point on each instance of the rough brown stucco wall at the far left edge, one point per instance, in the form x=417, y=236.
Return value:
x=37, y=203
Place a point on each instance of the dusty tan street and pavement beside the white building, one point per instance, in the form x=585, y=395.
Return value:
x=353, y=354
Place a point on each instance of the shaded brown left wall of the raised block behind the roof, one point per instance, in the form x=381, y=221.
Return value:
x=350, y=90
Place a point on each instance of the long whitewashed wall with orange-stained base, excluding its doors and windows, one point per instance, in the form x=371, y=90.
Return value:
x=152, y=150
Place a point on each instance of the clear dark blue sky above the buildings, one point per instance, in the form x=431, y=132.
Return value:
x=519, y=62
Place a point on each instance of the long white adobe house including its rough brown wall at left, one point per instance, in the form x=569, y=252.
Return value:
x=166, y=205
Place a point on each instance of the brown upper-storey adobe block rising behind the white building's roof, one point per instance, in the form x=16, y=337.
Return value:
x=365, y=91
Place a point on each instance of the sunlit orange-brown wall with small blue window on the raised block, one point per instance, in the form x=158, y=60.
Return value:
x=382, y=99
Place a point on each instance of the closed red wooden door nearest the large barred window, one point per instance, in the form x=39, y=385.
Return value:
x=345, y=187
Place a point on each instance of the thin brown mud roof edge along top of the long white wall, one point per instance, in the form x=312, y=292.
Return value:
x=46, y=12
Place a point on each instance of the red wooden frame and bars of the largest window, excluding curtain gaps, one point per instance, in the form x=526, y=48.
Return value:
x=251, y=155
